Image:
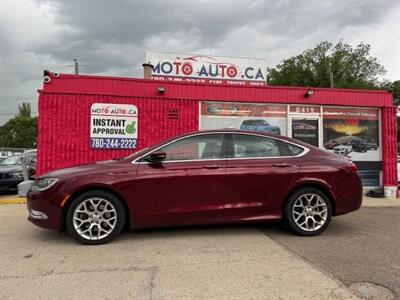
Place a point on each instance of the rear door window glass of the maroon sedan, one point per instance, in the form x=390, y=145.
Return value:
x=254, y=146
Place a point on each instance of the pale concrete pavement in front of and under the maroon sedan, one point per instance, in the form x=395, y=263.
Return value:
x=223, y=262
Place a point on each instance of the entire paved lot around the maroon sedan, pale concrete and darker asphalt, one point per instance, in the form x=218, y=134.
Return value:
x=243, y=261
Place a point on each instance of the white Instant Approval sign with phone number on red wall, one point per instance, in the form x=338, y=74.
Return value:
x=113, y=126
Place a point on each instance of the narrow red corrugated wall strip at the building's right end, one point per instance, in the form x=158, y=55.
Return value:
x=389, y=149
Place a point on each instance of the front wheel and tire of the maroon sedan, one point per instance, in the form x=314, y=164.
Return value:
x=95, y=217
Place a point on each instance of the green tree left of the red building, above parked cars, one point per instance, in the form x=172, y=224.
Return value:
x=19, y=132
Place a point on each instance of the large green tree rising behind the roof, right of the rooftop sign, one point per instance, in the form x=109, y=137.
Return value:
x=351, y=67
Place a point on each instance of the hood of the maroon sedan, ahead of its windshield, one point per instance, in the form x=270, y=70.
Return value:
x=99, y=168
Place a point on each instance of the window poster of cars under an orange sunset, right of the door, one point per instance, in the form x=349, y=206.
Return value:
x=353, y=132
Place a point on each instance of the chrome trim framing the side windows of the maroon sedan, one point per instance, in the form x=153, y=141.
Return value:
x=306, y=150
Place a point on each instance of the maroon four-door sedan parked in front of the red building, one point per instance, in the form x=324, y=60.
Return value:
x=216, y=176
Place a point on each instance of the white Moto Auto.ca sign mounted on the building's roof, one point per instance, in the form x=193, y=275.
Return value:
x=207, y=69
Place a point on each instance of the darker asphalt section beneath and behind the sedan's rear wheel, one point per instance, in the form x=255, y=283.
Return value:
x=362, y=246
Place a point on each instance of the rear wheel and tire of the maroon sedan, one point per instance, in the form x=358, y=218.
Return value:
x=301, y=207
